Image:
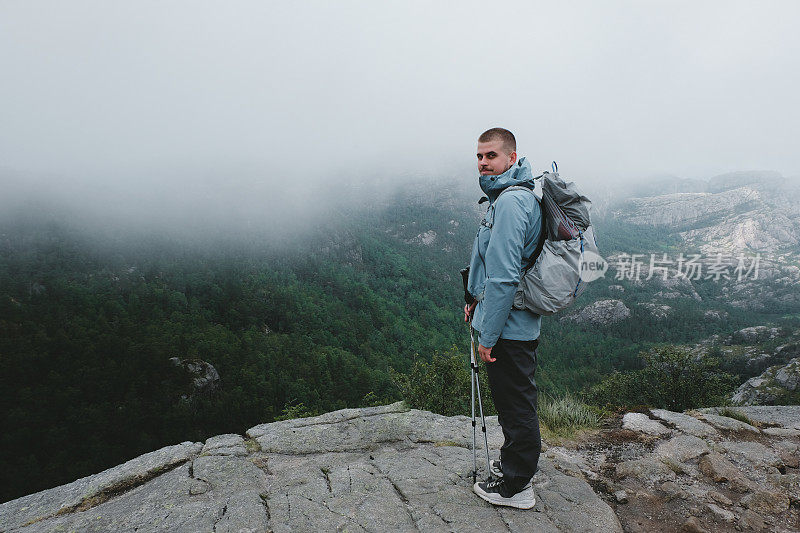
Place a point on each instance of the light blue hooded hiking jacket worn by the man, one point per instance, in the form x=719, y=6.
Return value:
x=508, y=235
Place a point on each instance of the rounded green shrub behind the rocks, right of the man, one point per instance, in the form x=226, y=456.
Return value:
x=672, y=378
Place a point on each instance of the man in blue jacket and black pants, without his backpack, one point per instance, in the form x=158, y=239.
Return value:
x=508, y=338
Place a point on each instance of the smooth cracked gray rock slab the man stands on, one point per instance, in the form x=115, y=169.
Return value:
x=373, y=469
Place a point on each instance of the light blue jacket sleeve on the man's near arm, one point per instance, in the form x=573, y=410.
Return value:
x=503, y=264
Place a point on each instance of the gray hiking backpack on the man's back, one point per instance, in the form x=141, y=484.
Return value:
x=552, y=280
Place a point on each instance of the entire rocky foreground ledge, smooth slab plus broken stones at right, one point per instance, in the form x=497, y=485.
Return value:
x=391, y=468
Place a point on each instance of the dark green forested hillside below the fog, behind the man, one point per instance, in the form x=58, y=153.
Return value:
x=310, y=322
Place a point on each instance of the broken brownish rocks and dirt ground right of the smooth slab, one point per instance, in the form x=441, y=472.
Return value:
x=711, y=473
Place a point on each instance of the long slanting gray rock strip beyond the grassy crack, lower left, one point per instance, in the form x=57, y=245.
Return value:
x=87, y=490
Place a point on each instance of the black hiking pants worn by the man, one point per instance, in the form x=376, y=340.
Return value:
x=511, y=380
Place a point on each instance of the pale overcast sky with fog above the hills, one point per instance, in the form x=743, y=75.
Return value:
x=123, y=92
